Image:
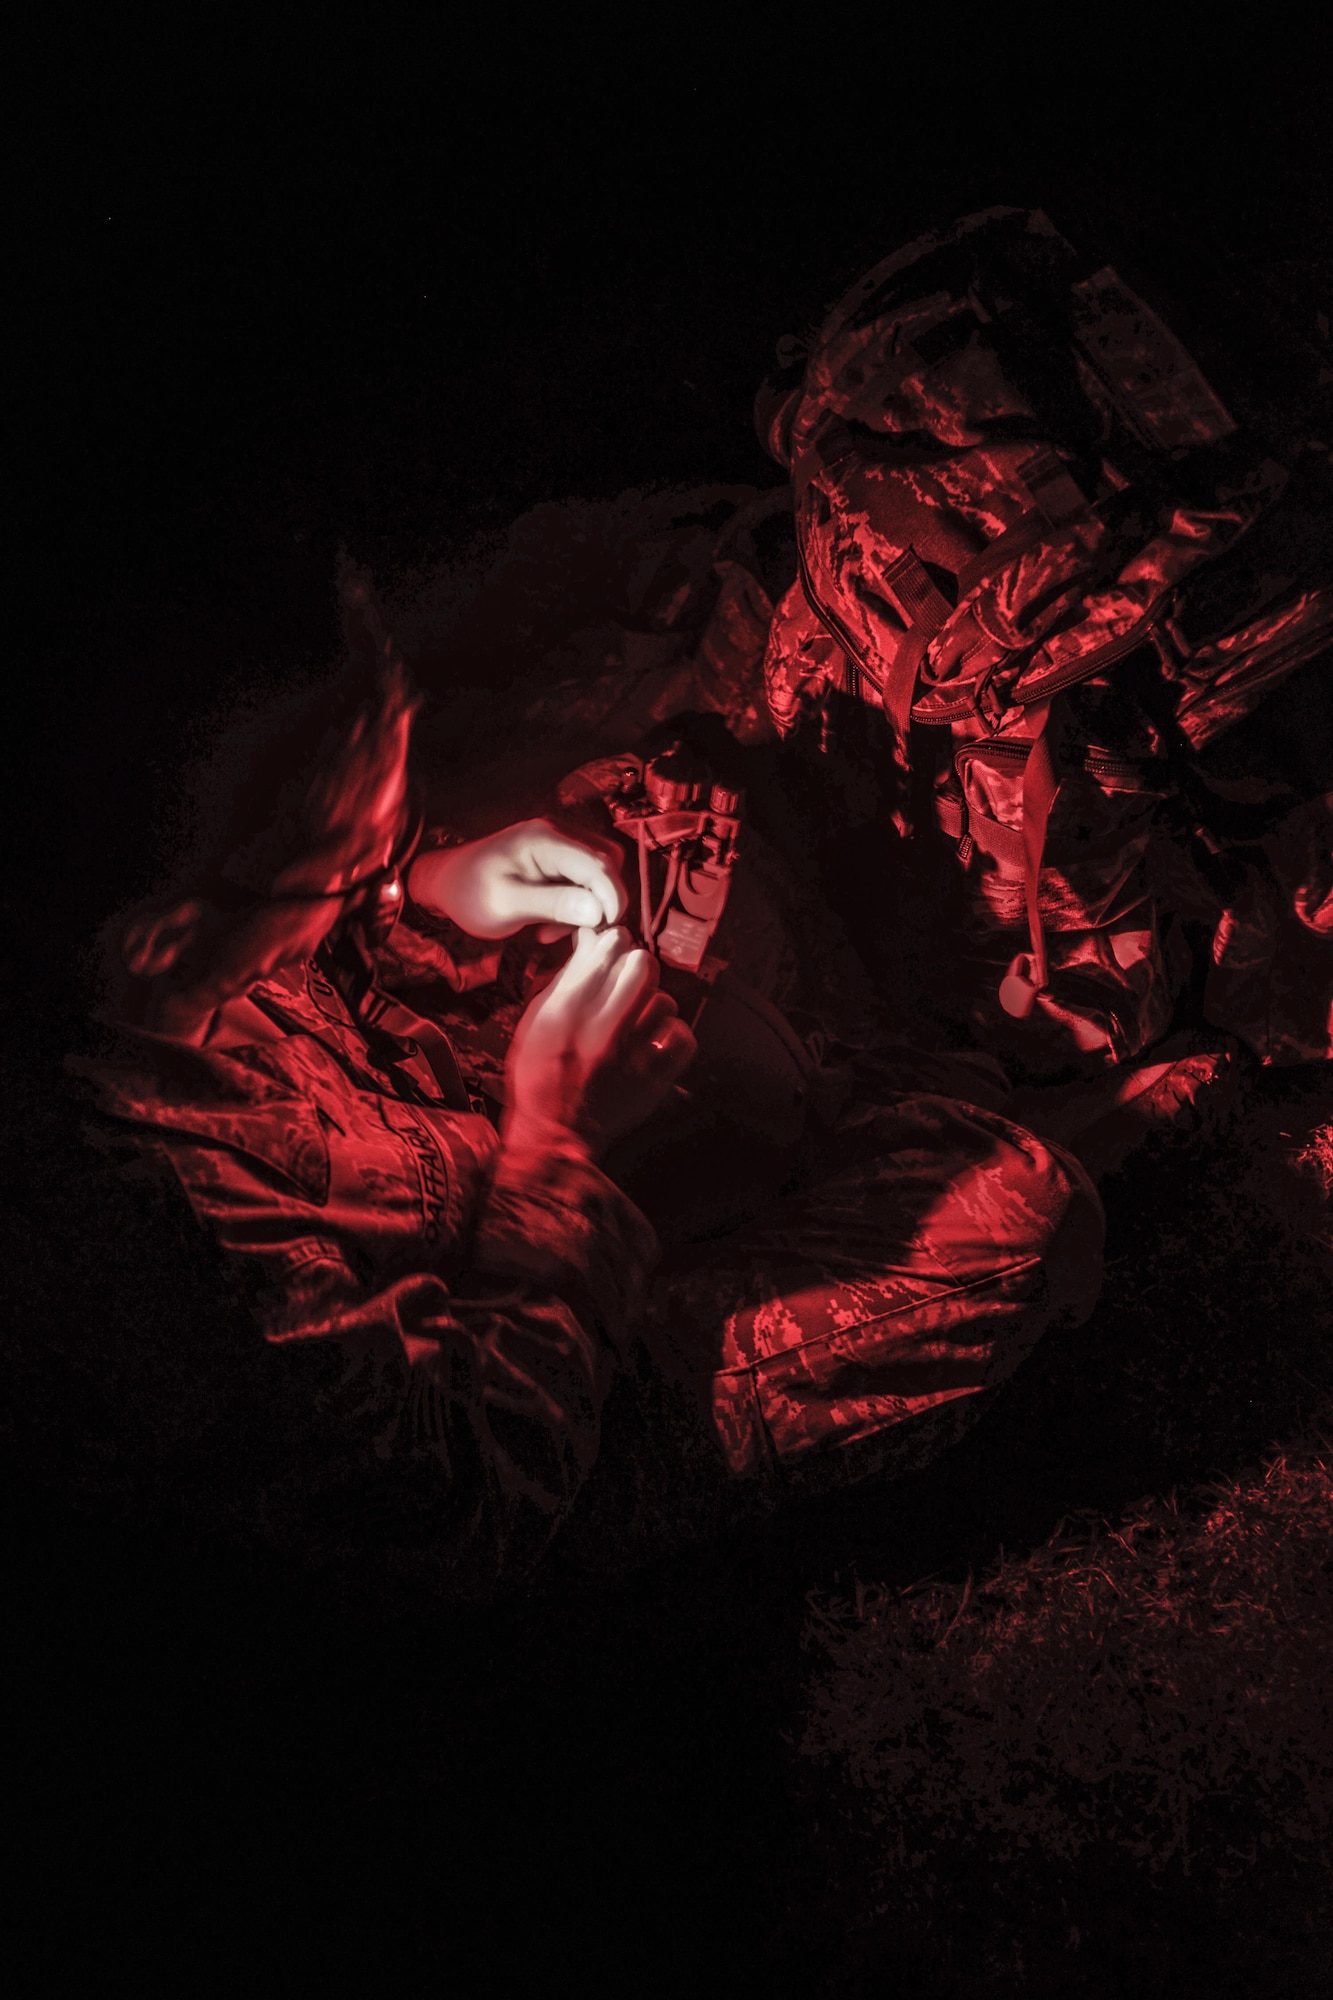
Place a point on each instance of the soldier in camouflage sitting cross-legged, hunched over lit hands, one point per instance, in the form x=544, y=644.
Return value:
x=449, y=1297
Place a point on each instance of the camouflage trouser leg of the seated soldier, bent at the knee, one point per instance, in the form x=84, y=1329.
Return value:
x=860, y=1327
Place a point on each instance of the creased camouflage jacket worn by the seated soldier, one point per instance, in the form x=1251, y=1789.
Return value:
x=441, y=1315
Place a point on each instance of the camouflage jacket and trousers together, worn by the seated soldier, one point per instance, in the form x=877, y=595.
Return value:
x=445, y=1321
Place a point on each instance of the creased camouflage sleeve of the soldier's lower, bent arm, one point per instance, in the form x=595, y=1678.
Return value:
x=463, y=1399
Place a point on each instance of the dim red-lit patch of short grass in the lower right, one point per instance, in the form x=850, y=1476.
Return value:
x=1118, y=1685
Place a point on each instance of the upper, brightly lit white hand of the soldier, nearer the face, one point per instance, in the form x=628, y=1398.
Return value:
x=525, y=875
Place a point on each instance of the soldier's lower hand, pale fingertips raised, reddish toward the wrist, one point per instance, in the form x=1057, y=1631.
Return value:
x=599, y=1049
